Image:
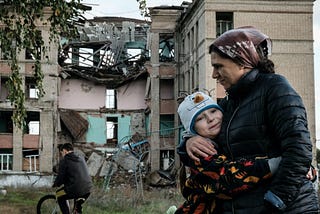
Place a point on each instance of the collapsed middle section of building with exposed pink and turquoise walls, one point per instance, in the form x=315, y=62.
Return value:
x=109, y=68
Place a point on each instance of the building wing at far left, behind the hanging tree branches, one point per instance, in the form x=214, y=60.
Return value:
x=23, y=150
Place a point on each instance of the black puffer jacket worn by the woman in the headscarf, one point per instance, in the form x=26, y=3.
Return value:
x=264, y=116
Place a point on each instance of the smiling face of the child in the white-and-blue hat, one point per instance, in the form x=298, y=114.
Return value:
x=208, y=123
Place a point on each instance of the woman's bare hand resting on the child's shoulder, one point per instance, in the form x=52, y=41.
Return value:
x=198, y=146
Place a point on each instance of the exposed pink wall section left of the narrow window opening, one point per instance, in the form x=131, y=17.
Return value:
x=81, y=94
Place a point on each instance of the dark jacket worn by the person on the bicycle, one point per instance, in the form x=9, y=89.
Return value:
x=73, y=173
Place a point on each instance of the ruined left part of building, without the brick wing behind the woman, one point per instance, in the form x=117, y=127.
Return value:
x=101, y=100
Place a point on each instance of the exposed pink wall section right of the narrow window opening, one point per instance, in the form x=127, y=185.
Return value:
x=131, y=96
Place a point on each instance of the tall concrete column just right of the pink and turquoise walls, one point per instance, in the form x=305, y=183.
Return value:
x=155, y=103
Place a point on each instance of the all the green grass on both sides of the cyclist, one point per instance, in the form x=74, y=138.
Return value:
x=121, y=200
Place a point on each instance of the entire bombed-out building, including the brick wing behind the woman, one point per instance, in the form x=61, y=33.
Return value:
x=115, y=88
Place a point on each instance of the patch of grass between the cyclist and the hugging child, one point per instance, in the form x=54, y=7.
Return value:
x=127, y=200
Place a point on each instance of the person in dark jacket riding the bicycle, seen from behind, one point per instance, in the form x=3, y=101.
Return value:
x=73, y=174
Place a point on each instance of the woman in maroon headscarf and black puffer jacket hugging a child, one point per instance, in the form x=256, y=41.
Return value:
x=263, y=116
